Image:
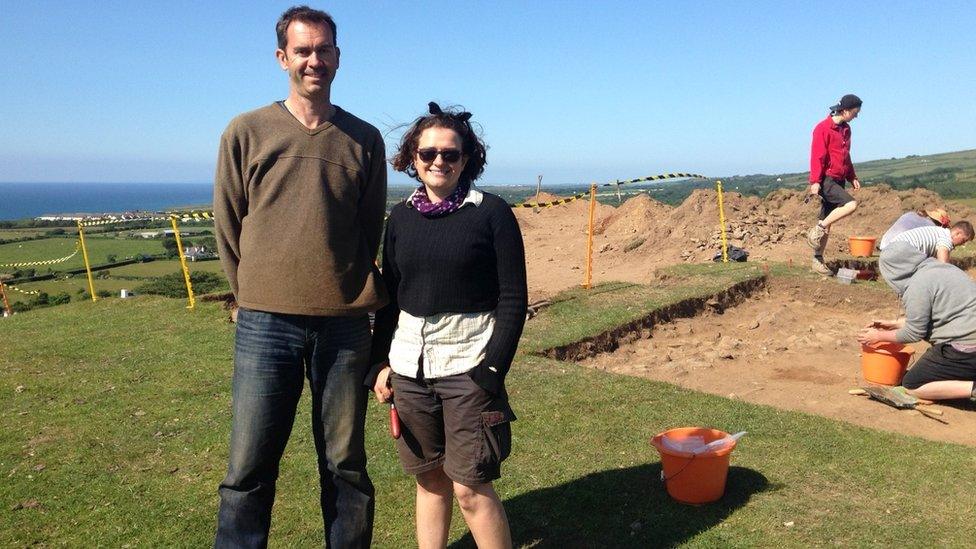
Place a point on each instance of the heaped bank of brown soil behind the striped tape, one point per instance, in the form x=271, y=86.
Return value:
x=642, y=234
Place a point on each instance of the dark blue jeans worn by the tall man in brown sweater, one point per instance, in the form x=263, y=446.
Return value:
x=272, y=356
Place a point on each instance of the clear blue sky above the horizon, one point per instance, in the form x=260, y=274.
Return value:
x=578, y=91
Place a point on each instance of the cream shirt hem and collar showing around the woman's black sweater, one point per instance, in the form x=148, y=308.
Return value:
x=450, y=343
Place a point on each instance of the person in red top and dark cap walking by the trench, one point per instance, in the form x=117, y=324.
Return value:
x=830, y=170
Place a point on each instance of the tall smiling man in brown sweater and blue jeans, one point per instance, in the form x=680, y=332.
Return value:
x=299, y=199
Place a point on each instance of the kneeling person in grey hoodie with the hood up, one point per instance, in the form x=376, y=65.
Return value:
x=940, y=307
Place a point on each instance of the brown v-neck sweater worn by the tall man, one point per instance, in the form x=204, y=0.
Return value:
x=299, y=213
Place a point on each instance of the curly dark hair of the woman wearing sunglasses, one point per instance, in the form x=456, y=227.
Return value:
x=453, y=119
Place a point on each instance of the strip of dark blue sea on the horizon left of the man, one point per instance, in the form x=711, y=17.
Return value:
x=26, y=200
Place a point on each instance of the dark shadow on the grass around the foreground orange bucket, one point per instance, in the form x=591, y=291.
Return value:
x=619, y=508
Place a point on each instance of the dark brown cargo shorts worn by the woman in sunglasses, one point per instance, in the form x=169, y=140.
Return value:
x=454, y=423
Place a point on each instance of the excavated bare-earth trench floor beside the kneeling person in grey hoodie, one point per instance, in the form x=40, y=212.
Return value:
x=792, y=347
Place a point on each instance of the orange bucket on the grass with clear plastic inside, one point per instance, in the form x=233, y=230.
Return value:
x=694, y=478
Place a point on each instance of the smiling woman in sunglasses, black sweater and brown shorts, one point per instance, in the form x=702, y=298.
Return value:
x=454, y=265
